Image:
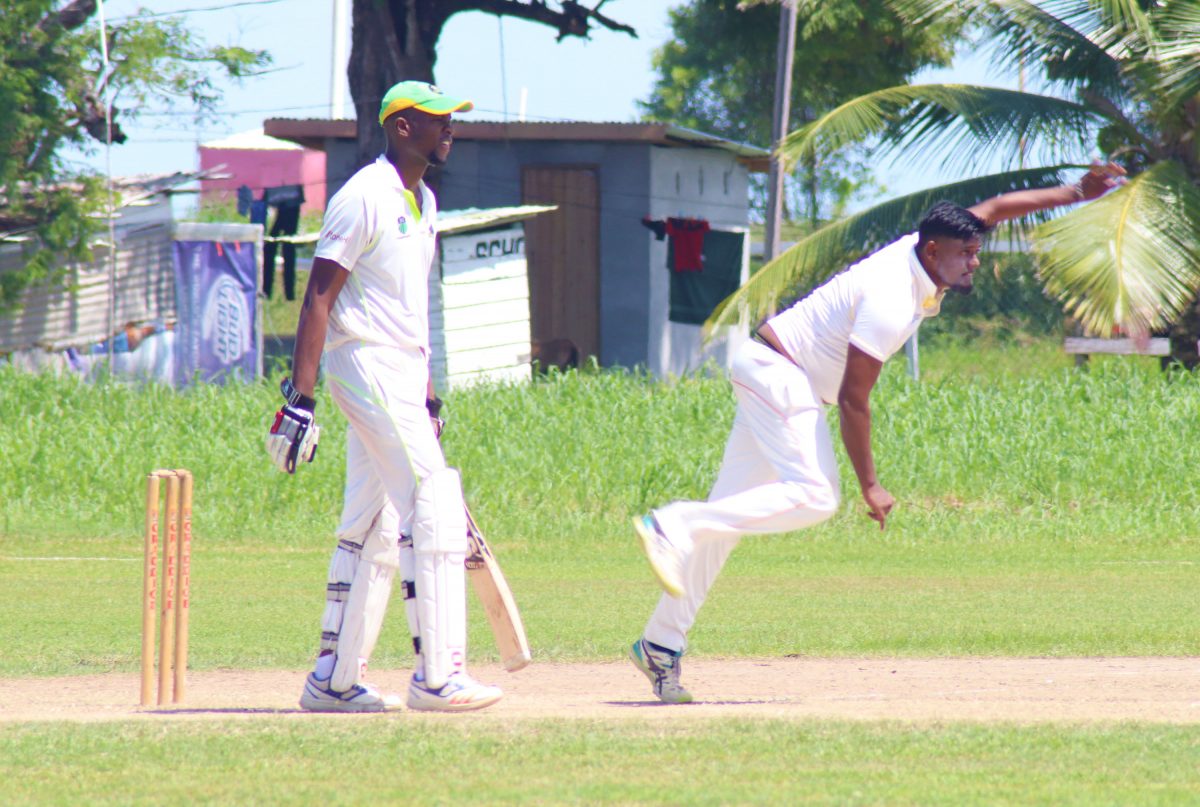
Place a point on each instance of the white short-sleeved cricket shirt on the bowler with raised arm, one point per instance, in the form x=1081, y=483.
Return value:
x=875, y=306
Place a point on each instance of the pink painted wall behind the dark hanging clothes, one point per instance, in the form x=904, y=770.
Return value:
x=261, y=169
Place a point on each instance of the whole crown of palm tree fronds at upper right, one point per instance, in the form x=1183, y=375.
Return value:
x=1121, y=76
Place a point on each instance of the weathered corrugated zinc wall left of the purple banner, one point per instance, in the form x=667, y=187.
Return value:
x=76, y=313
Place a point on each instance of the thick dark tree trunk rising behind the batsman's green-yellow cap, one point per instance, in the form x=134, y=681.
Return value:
x=391, y=43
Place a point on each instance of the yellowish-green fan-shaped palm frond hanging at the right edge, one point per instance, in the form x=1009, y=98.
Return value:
x=1131, y=259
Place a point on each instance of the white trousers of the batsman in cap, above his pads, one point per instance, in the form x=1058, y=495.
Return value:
x=391, y=446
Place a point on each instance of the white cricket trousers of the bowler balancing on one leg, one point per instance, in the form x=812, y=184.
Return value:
x=779, y=474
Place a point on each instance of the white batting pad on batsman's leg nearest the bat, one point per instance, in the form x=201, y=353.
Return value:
x=440, y=542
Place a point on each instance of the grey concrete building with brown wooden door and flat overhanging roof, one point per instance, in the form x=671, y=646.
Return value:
x=598, y=278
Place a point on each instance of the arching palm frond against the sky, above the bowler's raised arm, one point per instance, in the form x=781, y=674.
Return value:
x=964, y=124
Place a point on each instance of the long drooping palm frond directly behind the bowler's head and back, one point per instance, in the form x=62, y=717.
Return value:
x=838, y=244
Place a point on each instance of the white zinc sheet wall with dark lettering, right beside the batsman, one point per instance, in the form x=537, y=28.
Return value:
x=479, y=309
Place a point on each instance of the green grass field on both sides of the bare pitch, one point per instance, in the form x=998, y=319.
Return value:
x=1043, y=512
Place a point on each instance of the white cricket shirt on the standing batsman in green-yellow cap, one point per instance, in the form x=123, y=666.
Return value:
x=374, y=230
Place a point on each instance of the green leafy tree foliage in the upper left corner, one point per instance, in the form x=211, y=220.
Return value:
x=53, y=89
